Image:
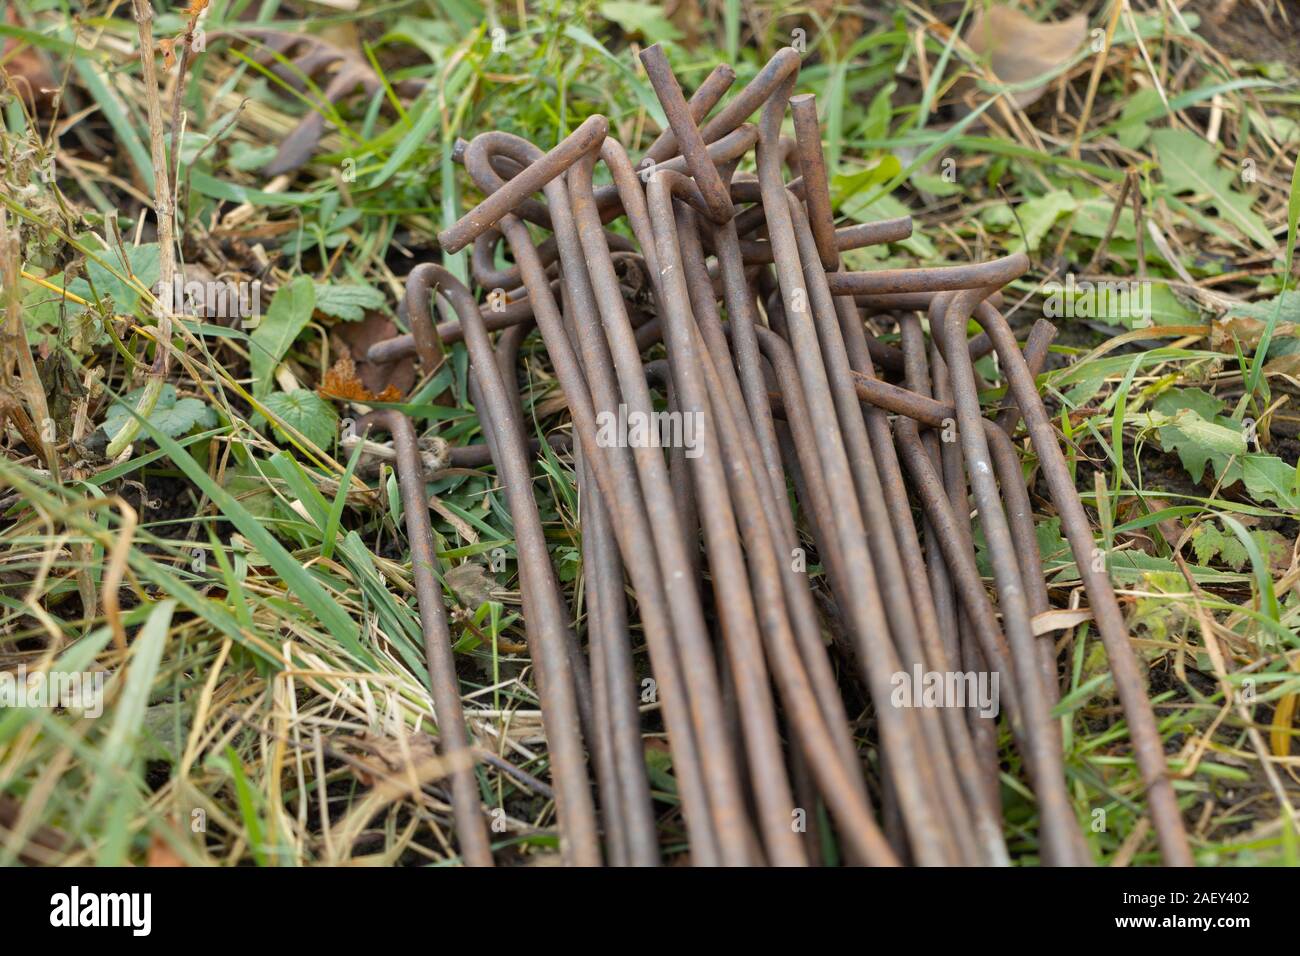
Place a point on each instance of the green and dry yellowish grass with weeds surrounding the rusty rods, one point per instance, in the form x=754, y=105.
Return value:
x=266, y=695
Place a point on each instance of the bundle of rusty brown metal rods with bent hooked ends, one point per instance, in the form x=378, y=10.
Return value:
x=777, y=690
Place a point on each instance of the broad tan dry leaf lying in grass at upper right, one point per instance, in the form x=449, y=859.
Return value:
x=1021, y=49
